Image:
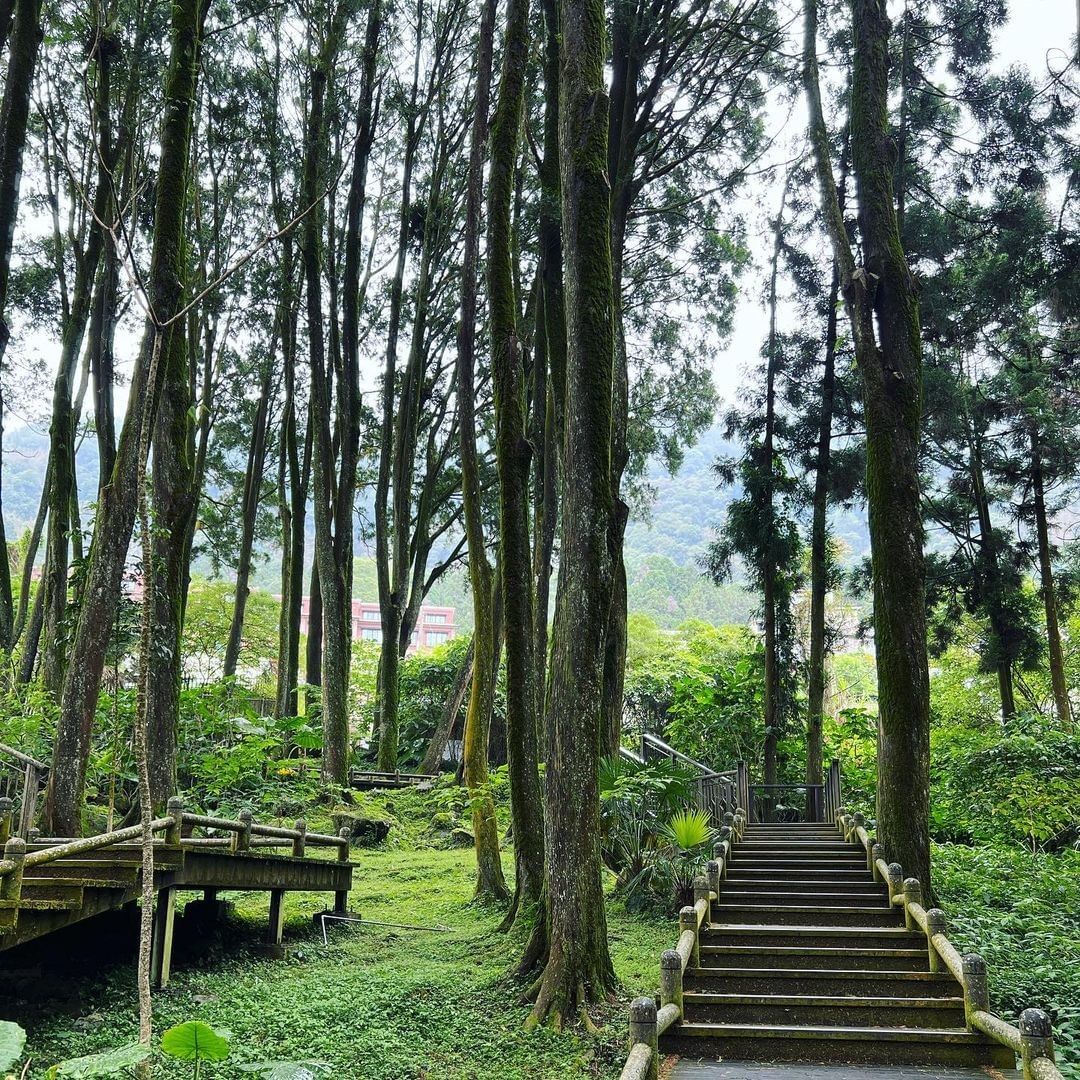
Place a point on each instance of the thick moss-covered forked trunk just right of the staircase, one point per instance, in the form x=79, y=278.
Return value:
x=883, y=304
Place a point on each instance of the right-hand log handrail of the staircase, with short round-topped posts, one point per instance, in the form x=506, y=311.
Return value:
x=1034, y=1038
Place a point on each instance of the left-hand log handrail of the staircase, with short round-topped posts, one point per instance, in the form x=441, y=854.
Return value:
x=647, y=1023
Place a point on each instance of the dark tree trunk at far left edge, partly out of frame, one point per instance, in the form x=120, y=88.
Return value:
x=15, y=112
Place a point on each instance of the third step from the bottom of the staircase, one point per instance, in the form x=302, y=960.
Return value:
x=839, y=982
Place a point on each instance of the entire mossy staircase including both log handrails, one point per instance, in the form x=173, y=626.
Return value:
x=806, y=946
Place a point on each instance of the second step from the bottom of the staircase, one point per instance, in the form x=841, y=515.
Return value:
x=818, y=1009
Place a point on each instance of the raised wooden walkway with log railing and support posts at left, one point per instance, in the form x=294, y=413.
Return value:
x=48, y=883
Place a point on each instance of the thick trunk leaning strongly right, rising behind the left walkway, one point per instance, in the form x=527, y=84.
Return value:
x=119, y=502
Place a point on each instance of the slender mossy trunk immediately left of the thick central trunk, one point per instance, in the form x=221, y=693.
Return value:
x=514, y=454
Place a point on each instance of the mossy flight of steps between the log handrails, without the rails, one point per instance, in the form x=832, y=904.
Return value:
x=805, y=960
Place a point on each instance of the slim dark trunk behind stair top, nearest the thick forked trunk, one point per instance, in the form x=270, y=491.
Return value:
x=820, y=560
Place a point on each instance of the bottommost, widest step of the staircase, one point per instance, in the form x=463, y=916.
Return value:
x=914, y=1046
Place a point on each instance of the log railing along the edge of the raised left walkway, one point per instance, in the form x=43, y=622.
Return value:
x=245, y=834
